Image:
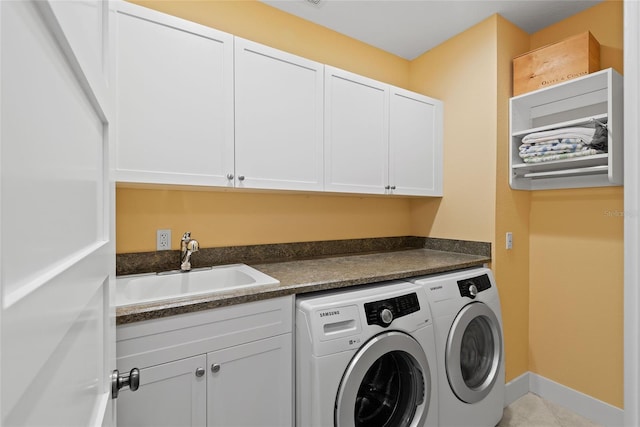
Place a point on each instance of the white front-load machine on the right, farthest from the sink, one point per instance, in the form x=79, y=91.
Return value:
x=470, y=351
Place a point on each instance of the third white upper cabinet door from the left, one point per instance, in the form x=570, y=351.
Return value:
x=356, y=133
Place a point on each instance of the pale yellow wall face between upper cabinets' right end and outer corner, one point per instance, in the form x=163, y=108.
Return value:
x=461, y=72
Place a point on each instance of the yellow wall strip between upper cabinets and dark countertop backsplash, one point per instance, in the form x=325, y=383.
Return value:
x=244, y=218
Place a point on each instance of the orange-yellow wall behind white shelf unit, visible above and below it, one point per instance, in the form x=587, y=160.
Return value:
x=576, y=256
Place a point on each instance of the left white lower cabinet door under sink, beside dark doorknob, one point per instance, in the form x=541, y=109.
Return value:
x=171, y=394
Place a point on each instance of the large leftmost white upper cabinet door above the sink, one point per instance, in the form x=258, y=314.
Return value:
x=174, y=100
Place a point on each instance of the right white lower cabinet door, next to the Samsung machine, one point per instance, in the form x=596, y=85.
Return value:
x=251, y=384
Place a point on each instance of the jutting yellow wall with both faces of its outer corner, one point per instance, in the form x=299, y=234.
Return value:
x=471, y=73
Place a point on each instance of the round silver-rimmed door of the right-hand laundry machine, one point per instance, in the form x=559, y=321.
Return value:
x=474, y=351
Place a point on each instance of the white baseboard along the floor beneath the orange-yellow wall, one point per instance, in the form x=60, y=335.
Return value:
x=593, y=409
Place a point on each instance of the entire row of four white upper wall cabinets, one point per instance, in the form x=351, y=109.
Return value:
x=200, y=107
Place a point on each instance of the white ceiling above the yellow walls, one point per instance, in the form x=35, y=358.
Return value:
x=408, y=28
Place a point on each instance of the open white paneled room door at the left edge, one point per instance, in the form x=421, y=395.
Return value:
x=57, y=337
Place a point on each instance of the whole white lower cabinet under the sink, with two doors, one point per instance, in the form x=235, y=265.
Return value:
x=231, y=366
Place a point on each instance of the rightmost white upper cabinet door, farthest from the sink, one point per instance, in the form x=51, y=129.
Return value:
x=415, y=144
